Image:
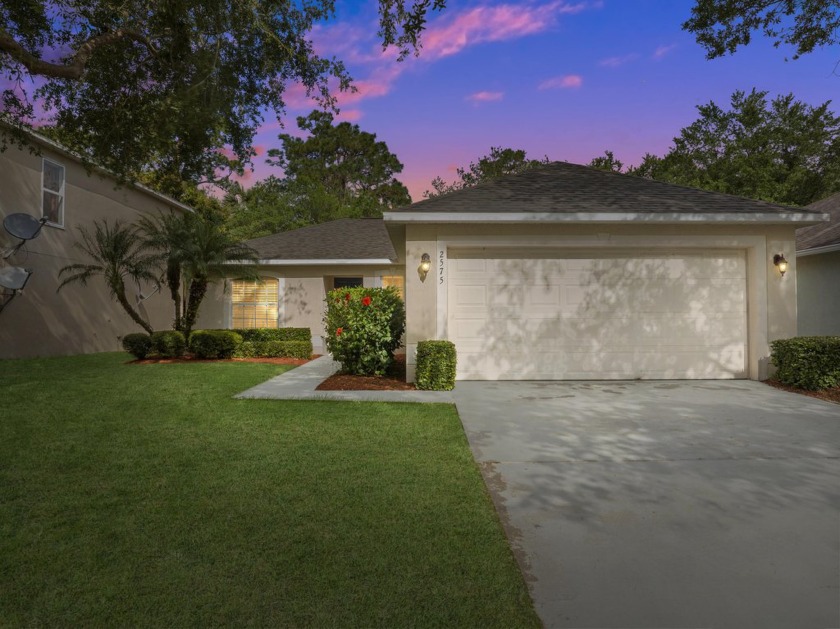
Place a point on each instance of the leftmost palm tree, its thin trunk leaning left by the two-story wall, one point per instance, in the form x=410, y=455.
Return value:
x=117, y=252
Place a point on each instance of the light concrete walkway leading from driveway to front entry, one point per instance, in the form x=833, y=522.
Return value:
x=299, y=384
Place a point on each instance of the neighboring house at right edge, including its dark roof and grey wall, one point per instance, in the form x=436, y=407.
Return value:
x=818, y=272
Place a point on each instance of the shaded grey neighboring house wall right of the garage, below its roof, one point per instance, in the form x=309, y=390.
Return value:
x=818, y=294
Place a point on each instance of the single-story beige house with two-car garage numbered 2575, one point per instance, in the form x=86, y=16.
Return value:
x=560, y=272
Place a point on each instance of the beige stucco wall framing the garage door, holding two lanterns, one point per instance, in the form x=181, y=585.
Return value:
x=772, y=304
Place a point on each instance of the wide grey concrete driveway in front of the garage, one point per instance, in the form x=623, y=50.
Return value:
x=665, y=504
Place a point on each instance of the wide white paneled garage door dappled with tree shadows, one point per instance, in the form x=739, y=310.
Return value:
x=578, y=317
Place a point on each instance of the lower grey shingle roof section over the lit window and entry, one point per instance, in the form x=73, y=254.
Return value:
x=342, y=239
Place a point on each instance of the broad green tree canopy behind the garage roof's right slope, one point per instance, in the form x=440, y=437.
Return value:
x=780, y=150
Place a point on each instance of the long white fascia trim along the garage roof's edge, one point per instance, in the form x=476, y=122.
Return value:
x=605, y=217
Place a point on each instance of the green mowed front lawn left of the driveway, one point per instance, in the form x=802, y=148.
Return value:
x=145, y=495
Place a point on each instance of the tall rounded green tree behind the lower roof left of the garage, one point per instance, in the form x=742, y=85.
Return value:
x=340, y=162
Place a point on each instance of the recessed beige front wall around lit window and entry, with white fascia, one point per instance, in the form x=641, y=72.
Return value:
x=303, y=291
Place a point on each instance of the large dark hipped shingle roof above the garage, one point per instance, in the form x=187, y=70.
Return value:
x=561, y=187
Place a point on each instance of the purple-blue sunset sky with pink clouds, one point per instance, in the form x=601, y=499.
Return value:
x=567, y=79
